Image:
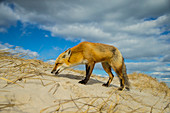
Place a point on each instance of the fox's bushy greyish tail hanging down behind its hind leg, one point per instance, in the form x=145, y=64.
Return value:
x=127, y=84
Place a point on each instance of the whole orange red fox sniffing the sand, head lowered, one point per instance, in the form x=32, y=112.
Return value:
x=89, y=53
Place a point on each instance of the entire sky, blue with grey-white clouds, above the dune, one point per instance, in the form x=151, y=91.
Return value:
x=46, y=28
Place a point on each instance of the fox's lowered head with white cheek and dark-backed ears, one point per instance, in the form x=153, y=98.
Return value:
x=62, y=62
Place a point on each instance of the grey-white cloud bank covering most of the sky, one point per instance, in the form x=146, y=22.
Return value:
x=132, y=26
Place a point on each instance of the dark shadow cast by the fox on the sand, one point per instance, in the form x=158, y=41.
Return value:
x=90, y=82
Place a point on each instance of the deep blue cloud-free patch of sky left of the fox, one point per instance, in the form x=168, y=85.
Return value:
x=37, y=40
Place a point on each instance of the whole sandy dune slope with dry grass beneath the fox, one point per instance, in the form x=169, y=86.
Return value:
x=26, y=86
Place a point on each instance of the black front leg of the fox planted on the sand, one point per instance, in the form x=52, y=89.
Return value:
x=89, y=69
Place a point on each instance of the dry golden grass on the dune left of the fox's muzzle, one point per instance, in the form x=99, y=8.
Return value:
x=16, y=68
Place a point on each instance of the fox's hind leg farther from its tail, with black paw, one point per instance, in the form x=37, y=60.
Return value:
x=107, y=68
